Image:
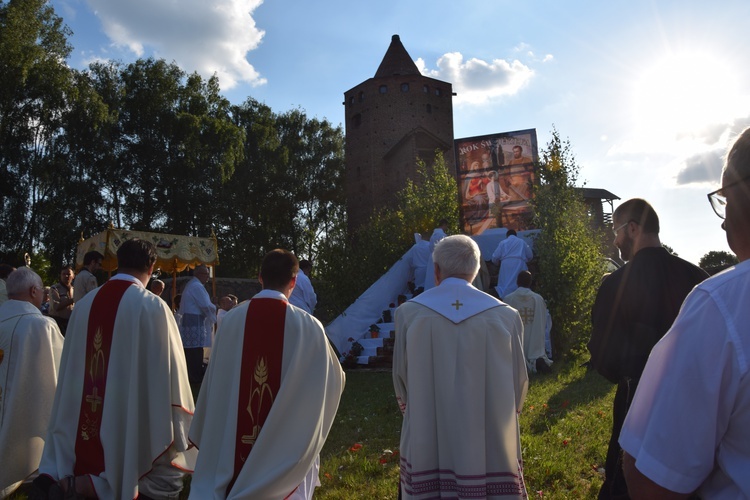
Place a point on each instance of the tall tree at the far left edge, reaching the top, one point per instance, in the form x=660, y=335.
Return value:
x=35, y=84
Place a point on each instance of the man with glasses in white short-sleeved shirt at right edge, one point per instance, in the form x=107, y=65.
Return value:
x=687, y=429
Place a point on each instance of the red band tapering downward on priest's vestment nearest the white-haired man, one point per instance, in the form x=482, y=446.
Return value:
x=260, y=375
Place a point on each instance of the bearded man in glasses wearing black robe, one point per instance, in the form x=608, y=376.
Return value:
x=634, y=308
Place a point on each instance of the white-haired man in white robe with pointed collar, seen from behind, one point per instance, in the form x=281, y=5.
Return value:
x=460, y=381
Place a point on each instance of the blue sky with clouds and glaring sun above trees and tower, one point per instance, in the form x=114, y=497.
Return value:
x=648, y=92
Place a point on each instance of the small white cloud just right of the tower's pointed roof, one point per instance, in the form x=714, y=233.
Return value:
x=476, y=81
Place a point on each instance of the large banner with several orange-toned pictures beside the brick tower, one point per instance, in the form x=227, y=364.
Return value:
x=496, y=179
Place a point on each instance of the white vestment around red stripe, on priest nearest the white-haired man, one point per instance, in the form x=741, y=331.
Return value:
x=300, y=417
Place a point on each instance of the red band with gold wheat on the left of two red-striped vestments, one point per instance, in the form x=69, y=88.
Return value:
x=88, y=450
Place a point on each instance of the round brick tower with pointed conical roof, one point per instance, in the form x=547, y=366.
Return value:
x=392, y=120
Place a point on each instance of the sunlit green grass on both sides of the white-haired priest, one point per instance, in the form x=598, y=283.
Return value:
x=565, y=426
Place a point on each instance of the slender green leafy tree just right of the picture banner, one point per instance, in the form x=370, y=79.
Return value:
x=568, y=249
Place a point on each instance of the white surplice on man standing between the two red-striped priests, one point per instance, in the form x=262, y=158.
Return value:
x=198, y=315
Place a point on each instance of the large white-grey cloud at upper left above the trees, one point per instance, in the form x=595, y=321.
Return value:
x=207, y=37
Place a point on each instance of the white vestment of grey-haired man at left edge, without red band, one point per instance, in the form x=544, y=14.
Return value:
x=30, y=349
